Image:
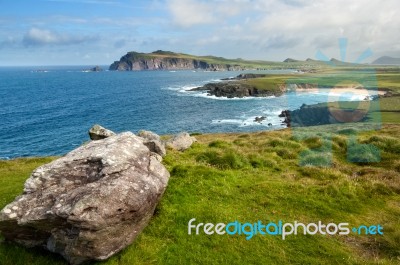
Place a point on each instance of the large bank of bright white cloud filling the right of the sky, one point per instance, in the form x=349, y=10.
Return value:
x=295, y=28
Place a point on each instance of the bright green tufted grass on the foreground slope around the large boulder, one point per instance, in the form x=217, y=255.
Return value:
x=257, y=176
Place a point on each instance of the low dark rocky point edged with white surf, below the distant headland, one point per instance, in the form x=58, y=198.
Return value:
x=235, y=90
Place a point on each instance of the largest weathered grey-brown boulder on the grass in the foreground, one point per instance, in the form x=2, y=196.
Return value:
x=89, y=204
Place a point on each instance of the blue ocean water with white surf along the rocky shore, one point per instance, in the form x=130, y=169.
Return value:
x=49, y=112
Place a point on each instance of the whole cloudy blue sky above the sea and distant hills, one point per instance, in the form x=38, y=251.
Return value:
x=88, y=32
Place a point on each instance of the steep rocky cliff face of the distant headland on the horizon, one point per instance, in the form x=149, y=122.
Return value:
x=133, y=61
